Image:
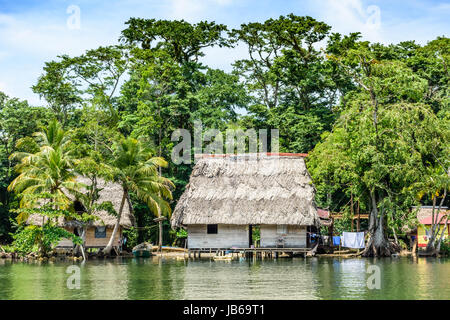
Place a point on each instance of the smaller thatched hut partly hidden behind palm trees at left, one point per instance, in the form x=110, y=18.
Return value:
x=99, y=231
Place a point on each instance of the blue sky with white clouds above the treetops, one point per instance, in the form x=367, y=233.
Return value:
x=35, y=31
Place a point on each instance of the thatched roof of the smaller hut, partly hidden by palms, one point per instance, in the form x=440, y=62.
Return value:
x=109, y=191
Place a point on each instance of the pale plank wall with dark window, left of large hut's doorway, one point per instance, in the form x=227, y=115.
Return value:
x=227, y=236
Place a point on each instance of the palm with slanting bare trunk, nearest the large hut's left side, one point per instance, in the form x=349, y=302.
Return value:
x=137, y=171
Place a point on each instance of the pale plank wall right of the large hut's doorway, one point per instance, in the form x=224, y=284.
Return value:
x=295, y=237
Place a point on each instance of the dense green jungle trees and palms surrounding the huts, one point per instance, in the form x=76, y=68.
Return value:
x=374, y=119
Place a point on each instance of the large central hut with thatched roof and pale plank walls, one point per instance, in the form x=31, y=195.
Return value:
x=229, y=194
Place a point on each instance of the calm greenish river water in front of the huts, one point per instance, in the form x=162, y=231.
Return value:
x=297, y=278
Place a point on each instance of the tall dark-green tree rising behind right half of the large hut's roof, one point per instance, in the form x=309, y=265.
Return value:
x=291, y=82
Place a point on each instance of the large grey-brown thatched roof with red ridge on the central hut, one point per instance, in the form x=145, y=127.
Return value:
x=248, y=189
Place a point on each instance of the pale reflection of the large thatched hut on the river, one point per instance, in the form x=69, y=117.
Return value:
x=249, y=280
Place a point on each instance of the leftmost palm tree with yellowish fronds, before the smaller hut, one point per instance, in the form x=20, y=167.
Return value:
x=49, y=170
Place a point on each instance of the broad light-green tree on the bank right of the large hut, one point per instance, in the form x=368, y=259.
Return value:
x=385, y=138
